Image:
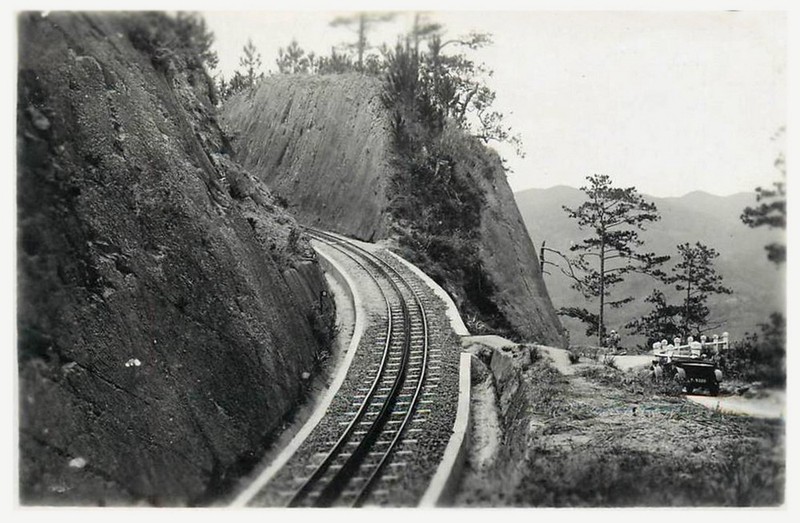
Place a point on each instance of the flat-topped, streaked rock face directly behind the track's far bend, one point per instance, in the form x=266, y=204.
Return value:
x=321, y=144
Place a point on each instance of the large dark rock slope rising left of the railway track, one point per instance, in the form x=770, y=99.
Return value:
x=167, y=309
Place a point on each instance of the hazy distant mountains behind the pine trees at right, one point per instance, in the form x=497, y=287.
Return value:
x=758, y=285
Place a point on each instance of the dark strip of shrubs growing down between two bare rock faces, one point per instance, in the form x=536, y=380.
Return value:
x=435, y=199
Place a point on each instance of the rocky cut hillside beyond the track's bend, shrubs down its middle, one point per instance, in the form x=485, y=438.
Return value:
x=324, y=144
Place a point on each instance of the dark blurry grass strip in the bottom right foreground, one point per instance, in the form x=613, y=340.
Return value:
x=577, y=474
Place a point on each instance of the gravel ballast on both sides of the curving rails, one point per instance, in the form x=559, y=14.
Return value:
x=413, y=463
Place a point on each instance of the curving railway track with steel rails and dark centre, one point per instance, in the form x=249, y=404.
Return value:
x=376, y=431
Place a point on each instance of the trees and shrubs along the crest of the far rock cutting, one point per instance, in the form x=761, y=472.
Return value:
x=441, y=80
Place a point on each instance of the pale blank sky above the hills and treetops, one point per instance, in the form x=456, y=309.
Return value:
x=669, y=102
